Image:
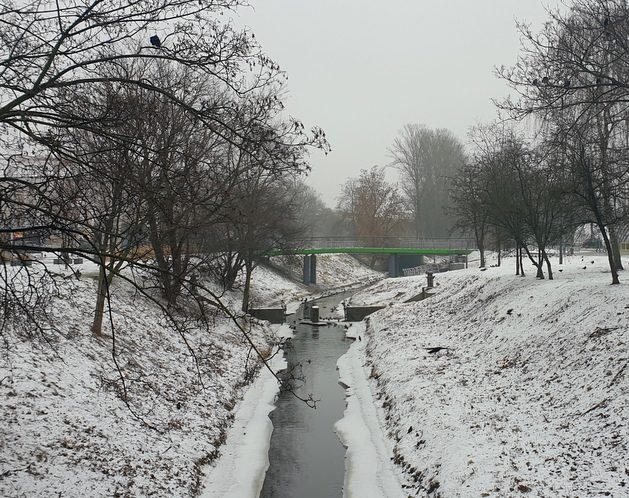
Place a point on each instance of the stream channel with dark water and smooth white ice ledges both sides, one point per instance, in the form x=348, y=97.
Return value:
x=304, y=456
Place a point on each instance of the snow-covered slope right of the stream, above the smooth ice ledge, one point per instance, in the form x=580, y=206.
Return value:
x=501, y=385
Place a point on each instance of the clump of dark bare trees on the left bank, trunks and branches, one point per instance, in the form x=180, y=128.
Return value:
x=56, y=58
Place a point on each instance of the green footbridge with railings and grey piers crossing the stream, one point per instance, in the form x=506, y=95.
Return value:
x=403, y=252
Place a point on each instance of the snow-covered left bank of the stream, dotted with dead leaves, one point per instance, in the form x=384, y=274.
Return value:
x=66, y=430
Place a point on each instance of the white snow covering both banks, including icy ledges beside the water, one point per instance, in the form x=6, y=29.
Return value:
x=528, y=393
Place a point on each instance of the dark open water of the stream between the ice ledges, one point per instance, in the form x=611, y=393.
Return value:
x=306, y=456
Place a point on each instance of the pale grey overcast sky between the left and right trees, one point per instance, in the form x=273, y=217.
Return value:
x=362, y=69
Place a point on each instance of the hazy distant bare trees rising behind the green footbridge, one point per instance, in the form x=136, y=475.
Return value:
x=418, y=205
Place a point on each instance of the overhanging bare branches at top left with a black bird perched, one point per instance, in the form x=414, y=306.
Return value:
x=52, y=51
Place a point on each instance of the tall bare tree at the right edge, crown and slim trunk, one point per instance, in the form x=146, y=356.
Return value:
x=574, y=78
